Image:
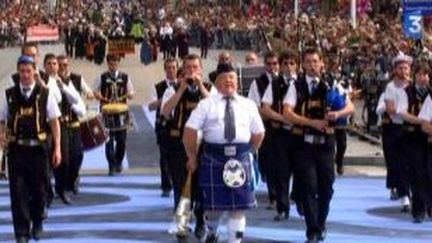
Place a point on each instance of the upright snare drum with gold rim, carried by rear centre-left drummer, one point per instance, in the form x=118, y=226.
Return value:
x=116, y=116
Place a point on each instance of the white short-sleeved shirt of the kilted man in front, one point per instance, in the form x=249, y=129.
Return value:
x=208, y=117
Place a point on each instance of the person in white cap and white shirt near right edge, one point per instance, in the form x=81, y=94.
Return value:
x=393, y=94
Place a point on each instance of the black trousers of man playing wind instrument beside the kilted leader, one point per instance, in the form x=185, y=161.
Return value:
x=177, y=160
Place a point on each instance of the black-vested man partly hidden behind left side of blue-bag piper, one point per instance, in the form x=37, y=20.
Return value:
x=283, y=141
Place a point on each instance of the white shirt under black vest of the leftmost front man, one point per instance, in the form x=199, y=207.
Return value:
x=52, y=109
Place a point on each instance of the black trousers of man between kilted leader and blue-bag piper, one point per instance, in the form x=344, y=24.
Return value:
x=281, y=155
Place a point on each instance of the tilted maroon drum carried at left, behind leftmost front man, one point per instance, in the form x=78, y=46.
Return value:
x=93, y=132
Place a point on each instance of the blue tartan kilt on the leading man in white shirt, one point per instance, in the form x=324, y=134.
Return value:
x=215, y=194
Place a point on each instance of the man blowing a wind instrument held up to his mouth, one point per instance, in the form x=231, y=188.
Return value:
x=177, y=105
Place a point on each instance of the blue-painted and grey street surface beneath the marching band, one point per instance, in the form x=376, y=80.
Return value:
x=128, y=208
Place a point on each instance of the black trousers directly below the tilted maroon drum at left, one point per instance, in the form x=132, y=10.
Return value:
x=76, y=156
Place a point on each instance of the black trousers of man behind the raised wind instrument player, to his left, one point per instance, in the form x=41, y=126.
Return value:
x=166, y=180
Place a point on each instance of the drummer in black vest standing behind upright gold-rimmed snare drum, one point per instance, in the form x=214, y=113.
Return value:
x=114, y=86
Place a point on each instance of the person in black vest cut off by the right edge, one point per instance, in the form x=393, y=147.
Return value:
x=415, y=141
